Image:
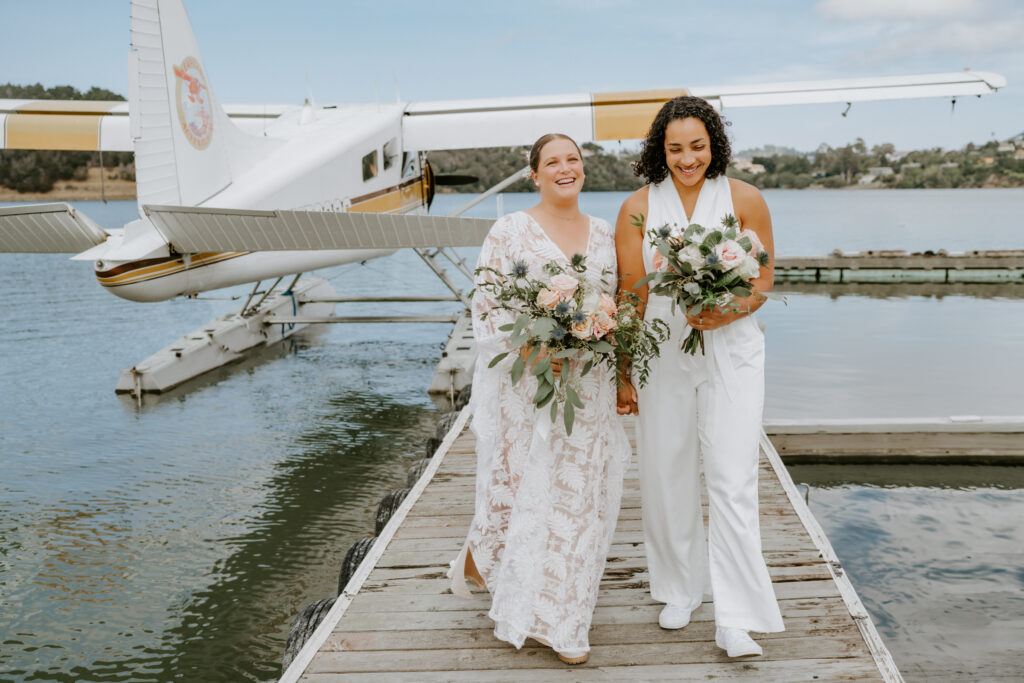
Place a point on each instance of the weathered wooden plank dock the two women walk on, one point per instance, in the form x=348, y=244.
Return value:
x=398, y=621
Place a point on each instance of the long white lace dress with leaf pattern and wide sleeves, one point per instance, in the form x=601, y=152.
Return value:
x=546, y=503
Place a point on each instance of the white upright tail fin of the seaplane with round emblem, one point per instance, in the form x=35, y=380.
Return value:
x=187, y=149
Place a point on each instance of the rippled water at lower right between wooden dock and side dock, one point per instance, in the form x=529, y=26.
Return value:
x=936, y=554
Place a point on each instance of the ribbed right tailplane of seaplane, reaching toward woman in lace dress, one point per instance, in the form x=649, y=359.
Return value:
x=195, y=230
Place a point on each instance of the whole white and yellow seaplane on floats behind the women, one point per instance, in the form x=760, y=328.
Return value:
x=233, y=195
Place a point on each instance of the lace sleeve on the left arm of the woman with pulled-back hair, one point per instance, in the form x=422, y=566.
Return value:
x=488, y=318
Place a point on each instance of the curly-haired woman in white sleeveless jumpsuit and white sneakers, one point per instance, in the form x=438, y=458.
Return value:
x=704, y=407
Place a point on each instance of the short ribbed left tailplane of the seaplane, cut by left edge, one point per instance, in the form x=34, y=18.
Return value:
x=53, y=229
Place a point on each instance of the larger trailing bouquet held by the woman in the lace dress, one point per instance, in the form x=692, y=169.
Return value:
x=567, y=317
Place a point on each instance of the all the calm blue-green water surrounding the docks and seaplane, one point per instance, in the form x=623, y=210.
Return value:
x=180, y=541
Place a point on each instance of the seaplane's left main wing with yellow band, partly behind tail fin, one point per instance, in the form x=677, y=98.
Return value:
x=96, y=126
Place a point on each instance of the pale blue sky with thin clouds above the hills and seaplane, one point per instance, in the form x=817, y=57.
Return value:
x=375, y=51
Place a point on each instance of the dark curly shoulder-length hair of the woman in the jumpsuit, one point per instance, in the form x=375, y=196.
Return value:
x=652, y=165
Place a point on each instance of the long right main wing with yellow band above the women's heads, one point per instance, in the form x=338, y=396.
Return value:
x=619, y=116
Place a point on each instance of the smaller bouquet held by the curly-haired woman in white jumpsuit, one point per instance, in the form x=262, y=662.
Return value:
x=703, y=269
